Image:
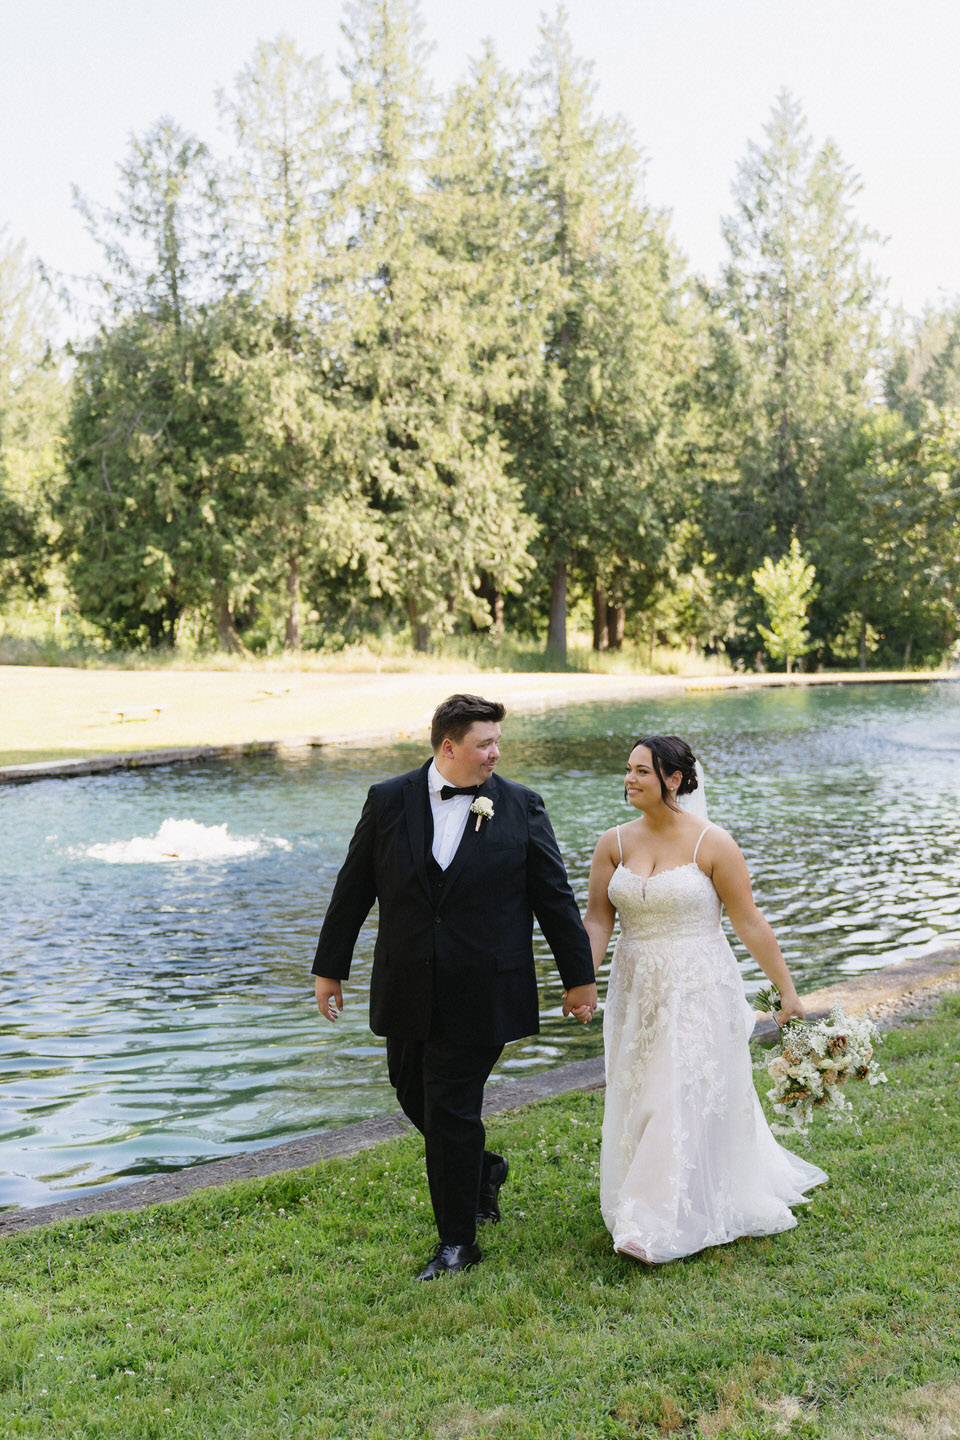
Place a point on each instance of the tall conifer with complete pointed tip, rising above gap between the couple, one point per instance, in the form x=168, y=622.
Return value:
x=591, y=438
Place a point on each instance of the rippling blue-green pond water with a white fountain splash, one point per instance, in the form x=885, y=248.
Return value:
x=159, y=927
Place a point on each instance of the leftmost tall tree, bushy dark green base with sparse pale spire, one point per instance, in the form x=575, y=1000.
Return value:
x=158, y=509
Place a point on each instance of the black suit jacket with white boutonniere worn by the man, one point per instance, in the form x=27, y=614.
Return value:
x=460, y=953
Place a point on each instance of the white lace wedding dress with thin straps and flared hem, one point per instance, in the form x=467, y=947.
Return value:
x=689, y=1158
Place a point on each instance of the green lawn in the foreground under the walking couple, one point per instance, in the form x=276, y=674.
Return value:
x=286, y=1308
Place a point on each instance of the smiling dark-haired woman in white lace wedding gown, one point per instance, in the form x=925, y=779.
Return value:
x=687, y=1158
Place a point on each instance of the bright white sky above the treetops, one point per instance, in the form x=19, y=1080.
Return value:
x=694, y=78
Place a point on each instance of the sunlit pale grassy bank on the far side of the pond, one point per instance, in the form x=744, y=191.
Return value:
x=208, y=716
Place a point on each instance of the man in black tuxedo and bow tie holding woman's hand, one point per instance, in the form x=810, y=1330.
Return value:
x=461, y=862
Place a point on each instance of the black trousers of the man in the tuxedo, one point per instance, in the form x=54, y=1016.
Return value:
x=440, y=1085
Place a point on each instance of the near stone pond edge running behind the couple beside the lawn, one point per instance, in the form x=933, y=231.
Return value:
x=873, y=991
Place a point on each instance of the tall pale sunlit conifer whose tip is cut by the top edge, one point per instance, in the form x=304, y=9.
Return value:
x=450, y=510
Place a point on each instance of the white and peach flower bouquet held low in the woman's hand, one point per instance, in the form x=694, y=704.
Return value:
x=814, y=1061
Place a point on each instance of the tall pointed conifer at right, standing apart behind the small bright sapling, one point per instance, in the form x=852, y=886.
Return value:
x=795, y=341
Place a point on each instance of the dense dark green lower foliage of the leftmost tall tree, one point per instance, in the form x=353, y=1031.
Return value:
x=158, y=512
